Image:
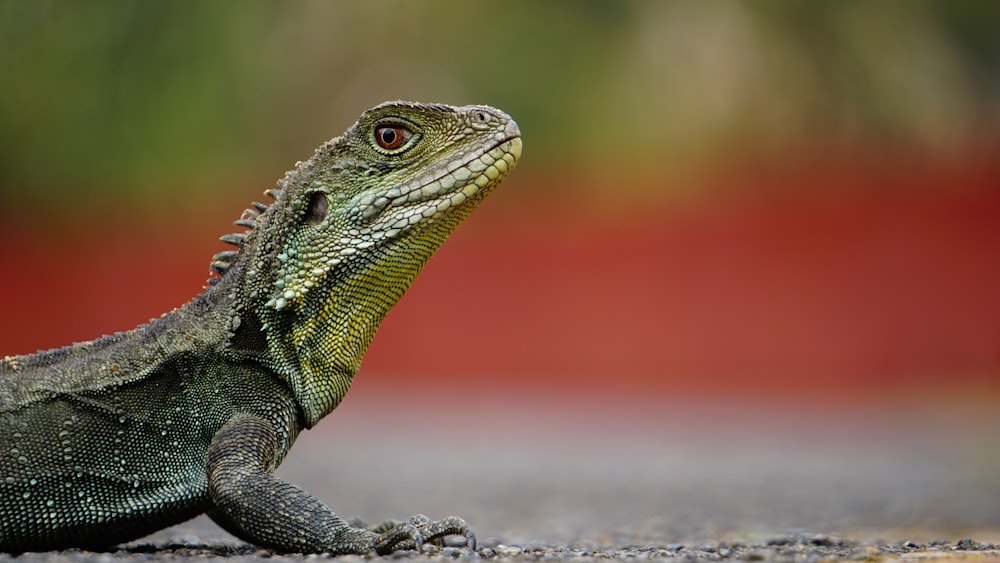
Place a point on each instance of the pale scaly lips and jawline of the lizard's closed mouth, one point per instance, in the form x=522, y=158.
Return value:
x=435, y=193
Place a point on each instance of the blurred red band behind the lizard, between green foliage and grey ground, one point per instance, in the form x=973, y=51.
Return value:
x=883, y=277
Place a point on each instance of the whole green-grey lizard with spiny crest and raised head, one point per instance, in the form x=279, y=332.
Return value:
x=106, y=441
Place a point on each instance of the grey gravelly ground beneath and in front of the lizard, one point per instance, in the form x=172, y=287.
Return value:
x=720, y=481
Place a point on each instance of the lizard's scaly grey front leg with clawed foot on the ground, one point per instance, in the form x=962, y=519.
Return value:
x=258, y=507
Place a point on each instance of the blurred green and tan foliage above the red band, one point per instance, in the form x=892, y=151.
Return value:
x=168, y=97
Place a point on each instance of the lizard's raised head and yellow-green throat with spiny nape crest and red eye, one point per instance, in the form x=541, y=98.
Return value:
x=348, y=232
